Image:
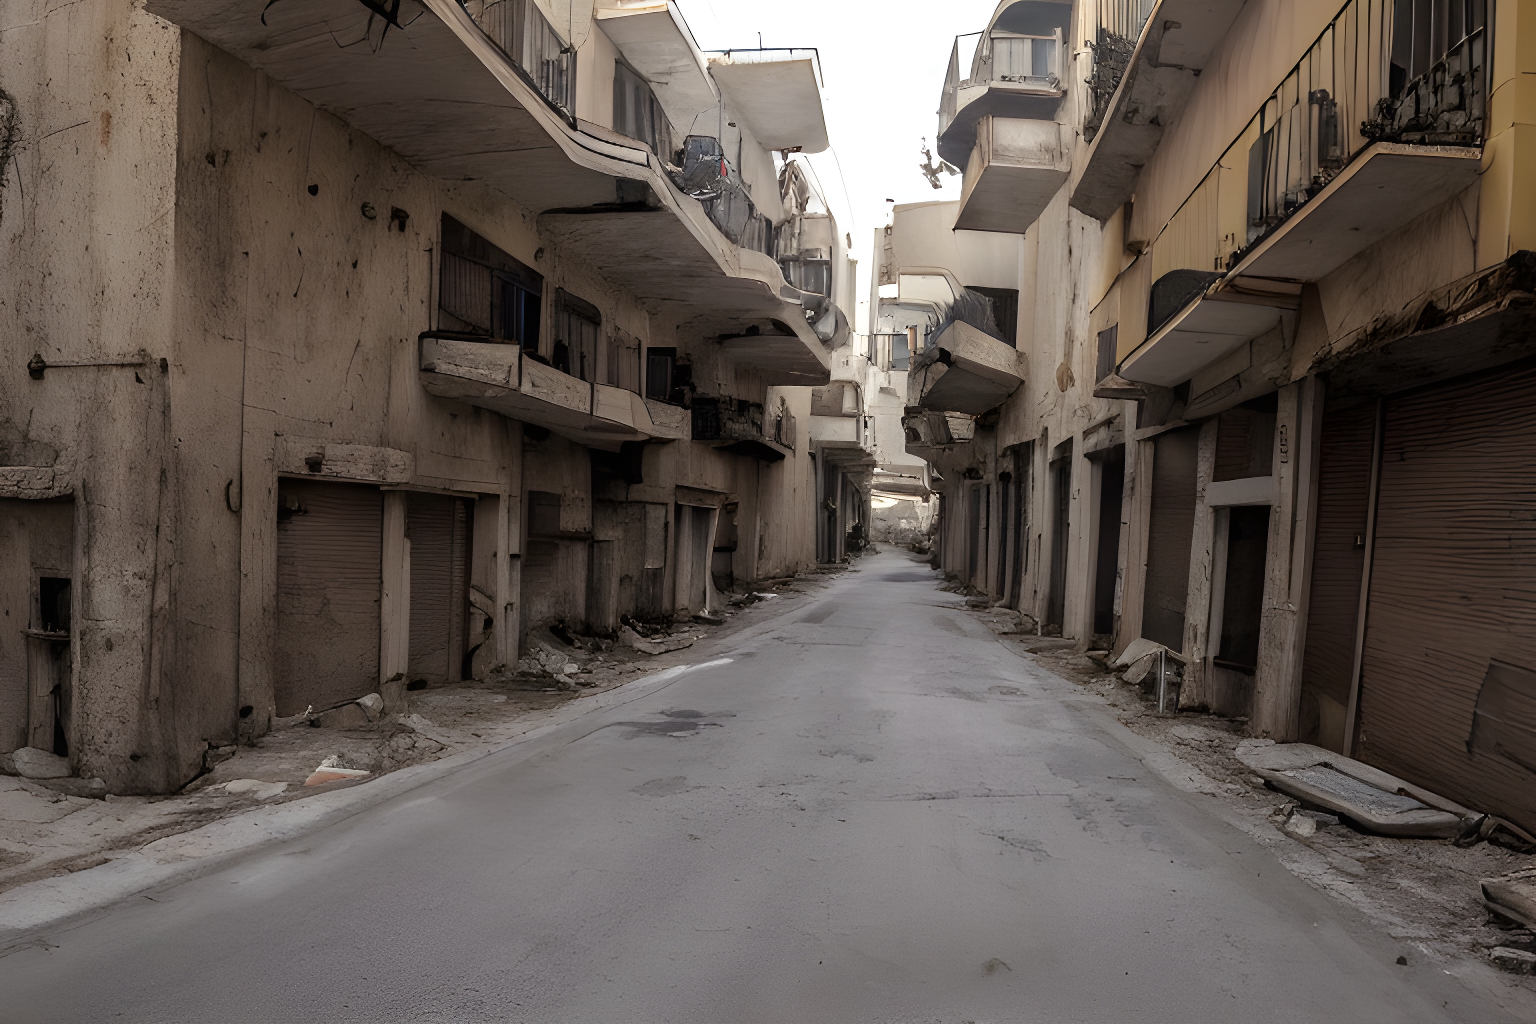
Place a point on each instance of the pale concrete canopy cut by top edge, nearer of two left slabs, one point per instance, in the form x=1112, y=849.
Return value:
x=657, y=42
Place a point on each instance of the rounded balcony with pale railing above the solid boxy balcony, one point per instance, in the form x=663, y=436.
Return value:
x=1011, y=70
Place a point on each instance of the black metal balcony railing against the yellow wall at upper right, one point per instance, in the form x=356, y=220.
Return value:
x=1412, y=71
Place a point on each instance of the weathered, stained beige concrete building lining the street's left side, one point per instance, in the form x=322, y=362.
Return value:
x=349, y=342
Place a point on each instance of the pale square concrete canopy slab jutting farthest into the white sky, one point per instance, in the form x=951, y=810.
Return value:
x=780, y=99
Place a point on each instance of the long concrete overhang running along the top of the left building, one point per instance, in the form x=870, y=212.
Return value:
x=451, y=102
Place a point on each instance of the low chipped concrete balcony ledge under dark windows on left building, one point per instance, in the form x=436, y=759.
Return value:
x=505, y=380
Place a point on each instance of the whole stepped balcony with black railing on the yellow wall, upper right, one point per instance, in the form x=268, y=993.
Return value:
x=1334, y=164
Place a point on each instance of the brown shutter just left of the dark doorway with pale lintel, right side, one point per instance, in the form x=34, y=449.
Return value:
x=1170, y=535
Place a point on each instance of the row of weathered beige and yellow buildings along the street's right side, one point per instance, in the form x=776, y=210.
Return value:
x=1274, y=362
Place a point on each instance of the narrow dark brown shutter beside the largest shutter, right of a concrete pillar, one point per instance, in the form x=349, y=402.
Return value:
x=1337, y=566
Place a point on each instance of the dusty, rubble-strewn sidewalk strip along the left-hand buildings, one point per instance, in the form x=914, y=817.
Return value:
x=47, y=830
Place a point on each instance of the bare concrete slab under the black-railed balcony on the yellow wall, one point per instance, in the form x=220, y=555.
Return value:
x=1377, y=194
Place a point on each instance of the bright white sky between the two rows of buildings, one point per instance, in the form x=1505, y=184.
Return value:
x=884, y=62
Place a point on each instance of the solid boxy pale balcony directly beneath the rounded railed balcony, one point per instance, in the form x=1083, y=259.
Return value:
x=1016, y=170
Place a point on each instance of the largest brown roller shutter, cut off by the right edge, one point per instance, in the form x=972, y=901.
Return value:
x=1454, y=595
